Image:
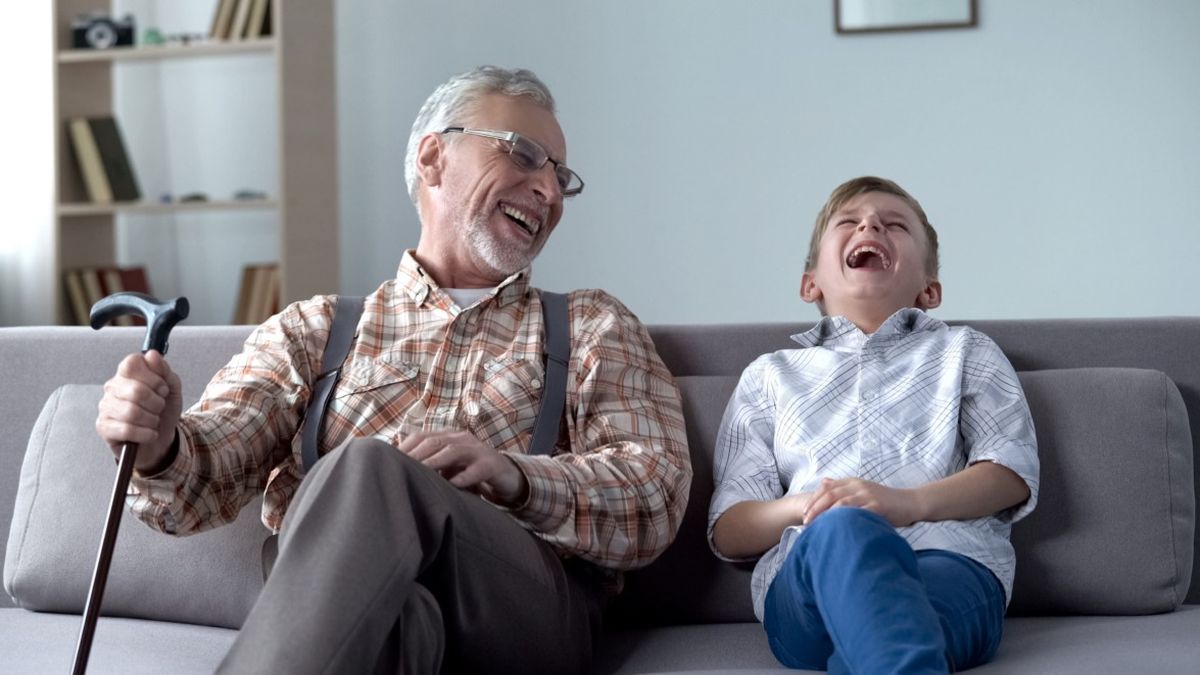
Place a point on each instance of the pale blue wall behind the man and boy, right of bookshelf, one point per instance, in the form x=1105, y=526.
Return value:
x=1057, y=147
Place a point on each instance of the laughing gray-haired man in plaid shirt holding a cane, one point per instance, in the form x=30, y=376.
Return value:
x=428, y=537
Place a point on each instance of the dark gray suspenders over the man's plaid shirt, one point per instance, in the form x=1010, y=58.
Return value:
x=557, y=347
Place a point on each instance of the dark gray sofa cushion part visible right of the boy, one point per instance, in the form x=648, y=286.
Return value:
x=1114, y=528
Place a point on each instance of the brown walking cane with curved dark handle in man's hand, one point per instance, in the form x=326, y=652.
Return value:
x=160, y=319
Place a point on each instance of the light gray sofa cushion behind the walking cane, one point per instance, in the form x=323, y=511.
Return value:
x=67, y=482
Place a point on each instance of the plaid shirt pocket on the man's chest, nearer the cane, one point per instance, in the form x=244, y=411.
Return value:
x=371, y=398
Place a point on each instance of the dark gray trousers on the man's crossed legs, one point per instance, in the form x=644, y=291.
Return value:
x=386, y=568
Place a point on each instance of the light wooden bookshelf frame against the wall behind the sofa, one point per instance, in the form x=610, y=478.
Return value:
x=304, y=202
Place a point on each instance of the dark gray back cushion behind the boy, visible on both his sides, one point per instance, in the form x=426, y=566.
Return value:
x=1112, y=535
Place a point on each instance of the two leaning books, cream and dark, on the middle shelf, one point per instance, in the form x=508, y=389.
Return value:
x=103, y=160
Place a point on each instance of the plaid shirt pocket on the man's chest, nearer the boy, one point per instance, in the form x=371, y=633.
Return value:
x=503, y=409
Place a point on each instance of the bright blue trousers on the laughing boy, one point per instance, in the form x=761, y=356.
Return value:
x=854, y=598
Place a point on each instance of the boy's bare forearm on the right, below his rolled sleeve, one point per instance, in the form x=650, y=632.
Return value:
x=982, y=489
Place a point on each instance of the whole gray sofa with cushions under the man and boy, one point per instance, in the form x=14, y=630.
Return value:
x=1105, y=583
